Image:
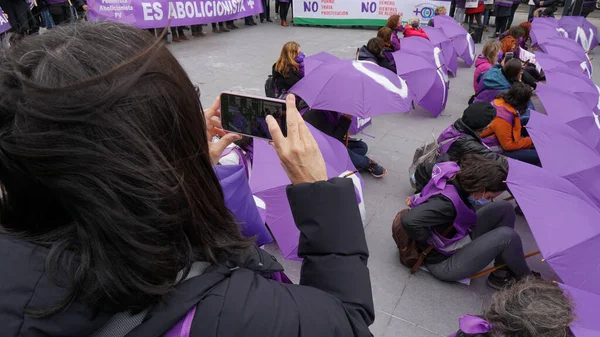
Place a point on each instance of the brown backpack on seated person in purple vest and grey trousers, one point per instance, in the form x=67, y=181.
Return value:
x=409, y=252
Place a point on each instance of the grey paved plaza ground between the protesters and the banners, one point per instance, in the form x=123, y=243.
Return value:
x=406, y=305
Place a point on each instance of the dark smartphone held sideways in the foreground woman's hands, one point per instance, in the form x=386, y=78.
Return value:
x=246, y=114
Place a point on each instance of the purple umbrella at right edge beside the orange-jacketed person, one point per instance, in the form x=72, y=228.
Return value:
x=564, y=153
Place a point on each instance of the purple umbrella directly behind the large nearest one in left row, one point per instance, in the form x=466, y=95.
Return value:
x=421, y=64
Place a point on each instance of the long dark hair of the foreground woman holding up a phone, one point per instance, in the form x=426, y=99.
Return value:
x=104, y=156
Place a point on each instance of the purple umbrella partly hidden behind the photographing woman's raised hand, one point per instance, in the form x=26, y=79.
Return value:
x=269, y=181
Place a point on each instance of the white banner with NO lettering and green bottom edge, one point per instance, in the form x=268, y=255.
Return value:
x=362, y=12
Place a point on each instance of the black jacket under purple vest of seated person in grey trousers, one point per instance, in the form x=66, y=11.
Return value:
x=437, y=213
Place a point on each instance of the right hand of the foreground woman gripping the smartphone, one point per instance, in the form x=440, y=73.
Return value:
x=299, y=152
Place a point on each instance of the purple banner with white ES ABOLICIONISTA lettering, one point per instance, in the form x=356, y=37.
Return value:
x=156, y=13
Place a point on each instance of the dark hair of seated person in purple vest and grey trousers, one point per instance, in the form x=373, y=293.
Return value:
x=478, y=173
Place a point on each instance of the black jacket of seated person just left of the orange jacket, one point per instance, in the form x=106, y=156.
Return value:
x=470, y=143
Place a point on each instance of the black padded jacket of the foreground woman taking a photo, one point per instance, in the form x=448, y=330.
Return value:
x=333, y=299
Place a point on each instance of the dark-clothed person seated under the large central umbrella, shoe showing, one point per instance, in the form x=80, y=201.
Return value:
x=336, y=125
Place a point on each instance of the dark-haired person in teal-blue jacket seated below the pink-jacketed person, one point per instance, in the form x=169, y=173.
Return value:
x=499, y=78
